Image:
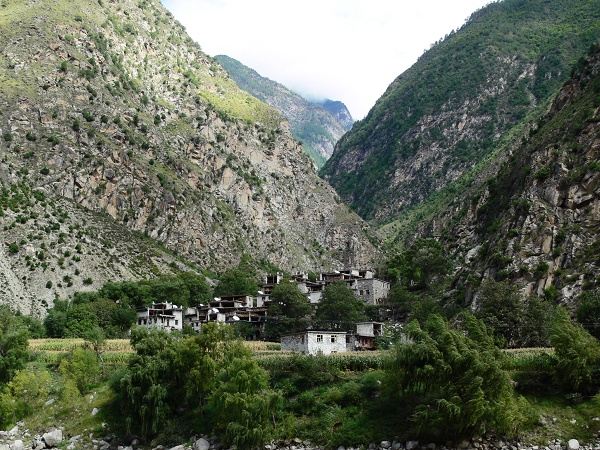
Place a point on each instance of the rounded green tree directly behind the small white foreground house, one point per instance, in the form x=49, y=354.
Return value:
x=339, y=309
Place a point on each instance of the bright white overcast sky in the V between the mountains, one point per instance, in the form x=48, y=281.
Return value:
x=348, y=50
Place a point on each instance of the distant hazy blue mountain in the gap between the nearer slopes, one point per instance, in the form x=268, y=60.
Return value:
x=318, y=126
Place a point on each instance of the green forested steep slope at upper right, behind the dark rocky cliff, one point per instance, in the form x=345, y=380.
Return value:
x=447, y=112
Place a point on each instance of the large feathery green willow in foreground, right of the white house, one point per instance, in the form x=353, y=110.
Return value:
x=453, y=379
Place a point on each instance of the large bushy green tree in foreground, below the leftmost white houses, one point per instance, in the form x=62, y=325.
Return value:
x=169, y=372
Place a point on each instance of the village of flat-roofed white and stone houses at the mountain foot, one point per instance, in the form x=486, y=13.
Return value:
x=253, y=310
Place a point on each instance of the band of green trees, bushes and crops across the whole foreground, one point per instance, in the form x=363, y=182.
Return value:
x=439, y=382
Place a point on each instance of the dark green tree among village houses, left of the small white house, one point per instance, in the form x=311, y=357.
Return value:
x=288, y=311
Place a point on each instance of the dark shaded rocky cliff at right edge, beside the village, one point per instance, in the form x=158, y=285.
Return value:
x=533, y=218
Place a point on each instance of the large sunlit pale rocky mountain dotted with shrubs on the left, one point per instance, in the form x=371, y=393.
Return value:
x=126, y=152
